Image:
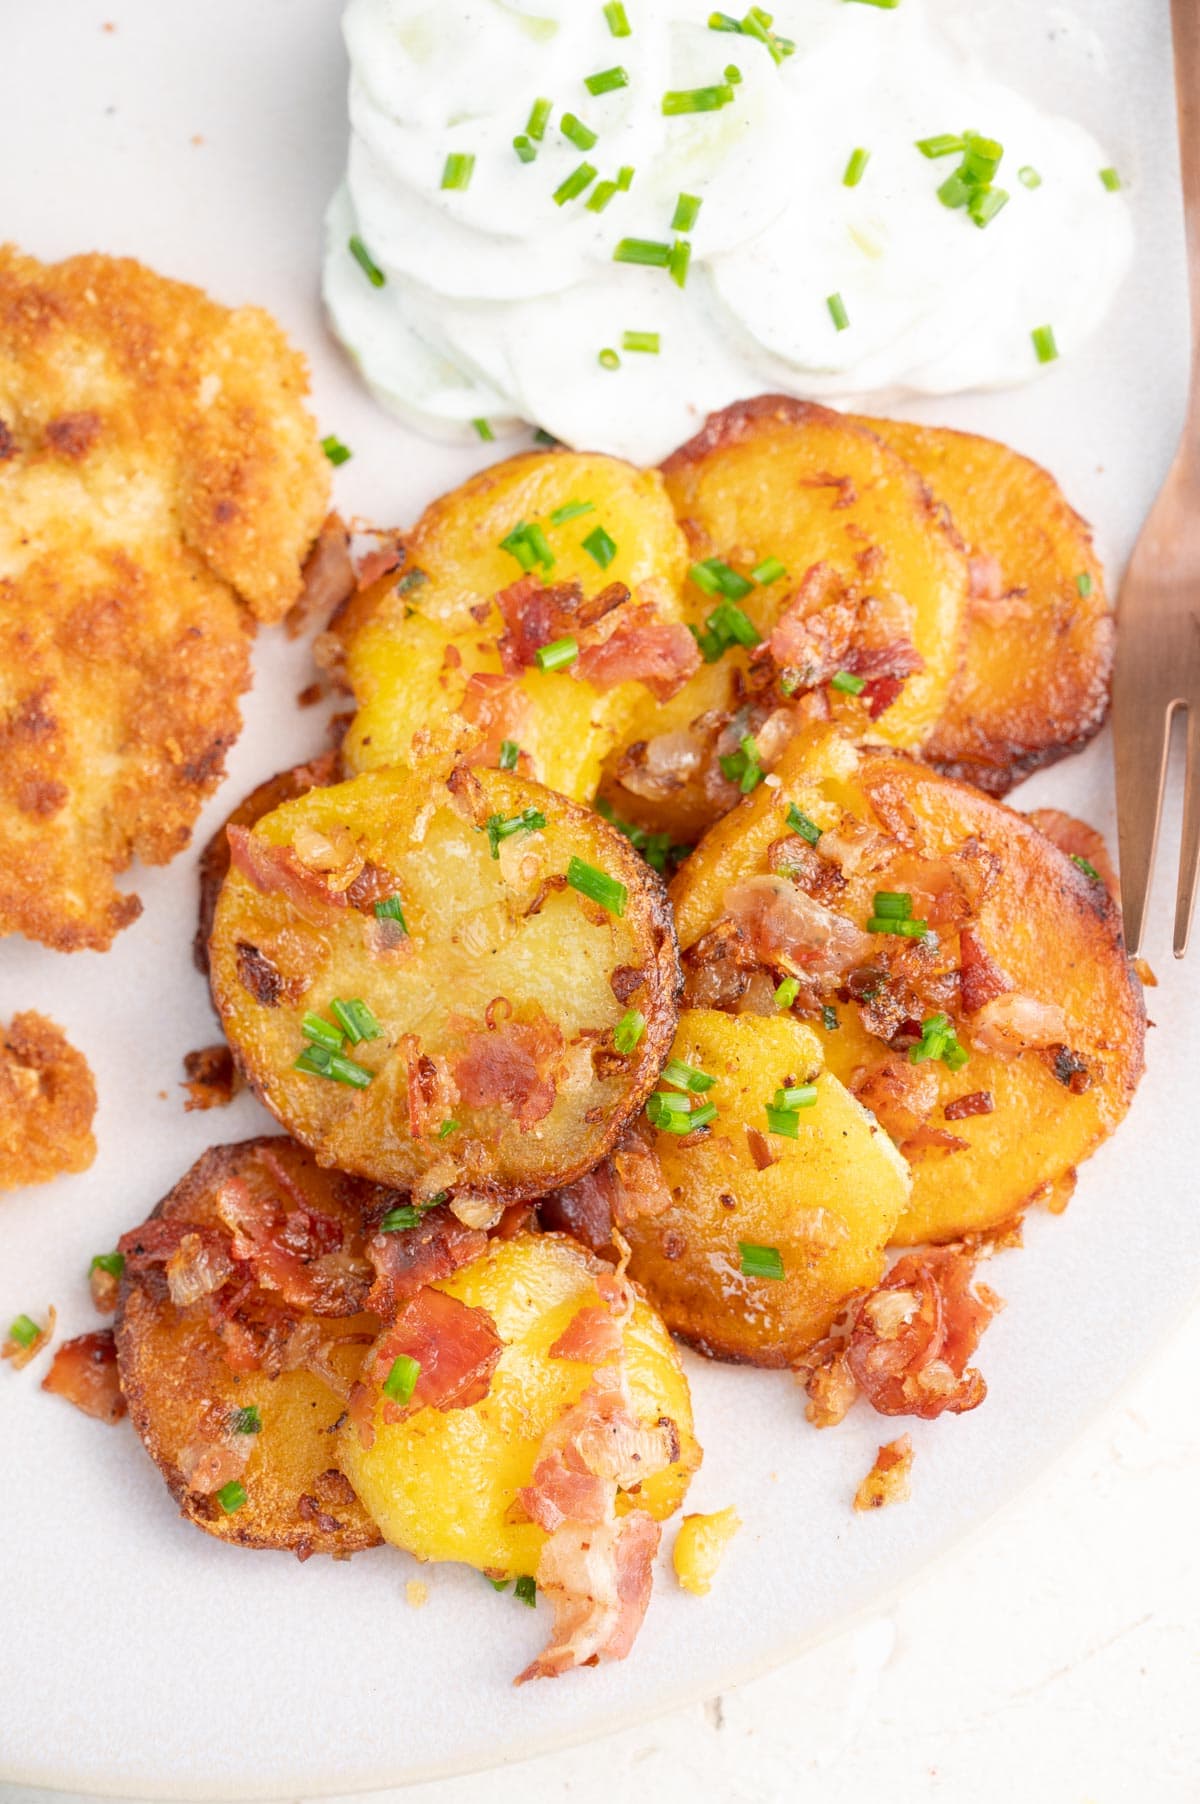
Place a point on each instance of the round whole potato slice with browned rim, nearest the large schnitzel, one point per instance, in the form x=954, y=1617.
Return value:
x=494, y=1069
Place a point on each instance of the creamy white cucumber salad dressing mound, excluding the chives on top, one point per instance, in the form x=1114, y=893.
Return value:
x=497, y=302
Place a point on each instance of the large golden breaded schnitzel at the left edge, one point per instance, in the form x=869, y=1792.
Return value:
x=160, y=486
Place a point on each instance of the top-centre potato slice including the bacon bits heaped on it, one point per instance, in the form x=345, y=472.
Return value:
x=869, y=582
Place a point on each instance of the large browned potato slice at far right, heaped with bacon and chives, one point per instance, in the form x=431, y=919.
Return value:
x=1024, y=962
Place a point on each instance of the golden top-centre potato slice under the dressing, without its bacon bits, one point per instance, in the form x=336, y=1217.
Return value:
x=780, y=479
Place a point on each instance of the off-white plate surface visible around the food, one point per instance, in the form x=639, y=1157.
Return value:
x=136, y=1655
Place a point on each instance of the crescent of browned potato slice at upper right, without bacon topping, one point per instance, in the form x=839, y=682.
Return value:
x=1040, y=632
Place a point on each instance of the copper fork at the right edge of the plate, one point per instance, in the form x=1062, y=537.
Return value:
x=1158, y=670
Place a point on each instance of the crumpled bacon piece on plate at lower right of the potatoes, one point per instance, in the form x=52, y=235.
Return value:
x=916, y=1332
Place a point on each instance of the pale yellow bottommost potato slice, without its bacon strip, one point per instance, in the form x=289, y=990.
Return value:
x=443, y=1484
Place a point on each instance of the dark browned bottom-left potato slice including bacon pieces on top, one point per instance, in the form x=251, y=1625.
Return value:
x=232, y=1379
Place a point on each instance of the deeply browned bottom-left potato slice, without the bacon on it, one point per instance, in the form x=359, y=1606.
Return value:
x=187, y=1399
